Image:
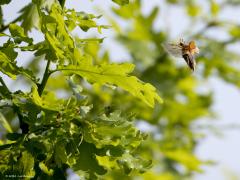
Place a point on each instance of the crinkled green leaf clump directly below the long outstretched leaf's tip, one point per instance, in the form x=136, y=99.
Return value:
x=114, y=130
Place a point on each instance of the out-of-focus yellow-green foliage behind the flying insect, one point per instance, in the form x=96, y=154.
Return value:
x=173, y=141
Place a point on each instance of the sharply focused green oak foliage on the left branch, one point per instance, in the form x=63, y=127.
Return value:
x=60, y=133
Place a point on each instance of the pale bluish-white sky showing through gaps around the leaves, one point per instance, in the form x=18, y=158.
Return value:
x=225, y=149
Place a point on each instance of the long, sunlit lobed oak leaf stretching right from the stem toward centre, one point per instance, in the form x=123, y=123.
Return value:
x=115, y=74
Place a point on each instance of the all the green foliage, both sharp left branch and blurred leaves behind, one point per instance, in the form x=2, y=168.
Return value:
x=85, y=112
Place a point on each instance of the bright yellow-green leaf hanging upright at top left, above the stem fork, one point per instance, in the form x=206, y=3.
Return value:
x=58, y=44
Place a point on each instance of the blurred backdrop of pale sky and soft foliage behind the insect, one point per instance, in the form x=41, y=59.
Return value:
x=196, y=131
